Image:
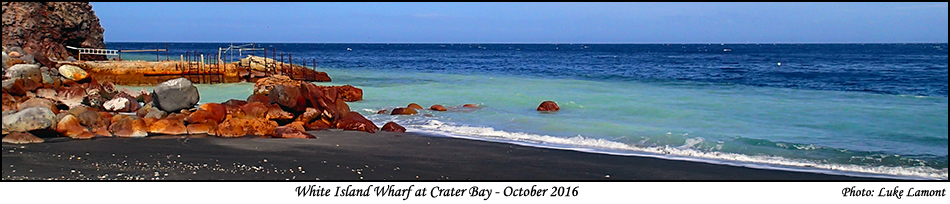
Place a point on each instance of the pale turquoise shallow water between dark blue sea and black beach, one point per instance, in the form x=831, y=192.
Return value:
x=825, y=131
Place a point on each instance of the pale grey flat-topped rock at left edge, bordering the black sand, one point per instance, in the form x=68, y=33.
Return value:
x=29, y=119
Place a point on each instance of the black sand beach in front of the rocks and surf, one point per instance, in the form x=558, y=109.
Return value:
x=347, y=155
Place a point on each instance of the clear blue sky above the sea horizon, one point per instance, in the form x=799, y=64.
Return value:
x=501, y=22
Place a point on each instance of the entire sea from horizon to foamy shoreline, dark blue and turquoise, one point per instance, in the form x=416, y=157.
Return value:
x=870, y=109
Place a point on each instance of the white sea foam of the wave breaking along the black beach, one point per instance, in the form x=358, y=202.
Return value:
x=684, y=152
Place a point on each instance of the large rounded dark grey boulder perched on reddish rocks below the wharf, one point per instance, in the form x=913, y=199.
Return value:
x=175, y=94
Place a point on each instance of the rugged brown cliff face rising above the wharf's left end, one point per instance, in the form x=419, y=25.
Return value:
x=48, y=27
